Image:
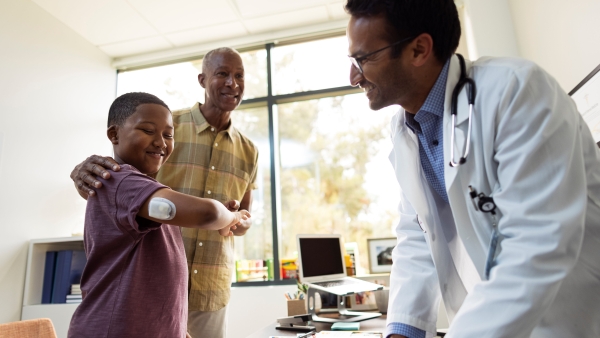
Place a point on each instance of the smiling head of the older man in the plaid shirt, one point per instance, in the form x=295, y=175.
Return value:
x=223, y=81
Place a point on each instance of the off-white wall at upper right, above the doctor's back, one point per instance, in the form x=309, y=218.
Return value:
x=559, y=35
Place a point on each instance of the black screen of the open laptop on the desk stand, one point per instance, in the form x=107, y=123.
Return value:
x=321, y=256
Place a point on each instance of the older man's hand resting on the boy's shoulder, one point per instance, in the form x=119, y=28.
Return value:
x=84, y=174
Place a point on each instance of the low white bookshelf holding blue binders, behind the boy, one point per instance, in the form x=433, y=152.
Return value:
x=60, y=314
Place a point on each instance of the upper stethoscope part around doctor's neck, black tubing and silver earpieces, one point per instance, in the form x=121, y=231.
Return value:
x=471, y=92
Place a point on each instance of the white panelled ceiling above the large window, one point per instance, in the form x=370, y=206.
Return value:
x=122, y=28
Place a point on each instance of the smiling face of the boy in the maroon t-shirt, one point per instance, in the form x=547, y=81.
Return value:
x=145, y=140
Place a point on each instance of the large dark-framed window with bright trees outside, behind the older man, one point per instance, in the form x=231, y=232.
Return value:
x=323, y=164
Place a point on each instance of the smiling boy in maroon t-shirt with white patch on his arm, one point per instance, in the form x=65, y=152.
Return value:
x=135, y=282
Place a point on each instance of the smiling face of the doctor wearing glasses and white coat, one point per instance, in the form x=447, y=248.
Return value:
x=385, y=80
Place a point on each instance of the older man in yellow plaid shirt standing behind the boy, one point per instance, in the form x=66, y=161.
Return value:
x=211, y=159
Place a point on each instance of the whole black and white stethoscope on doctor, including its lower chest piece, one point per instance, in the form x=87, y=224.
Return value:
x=481, y=202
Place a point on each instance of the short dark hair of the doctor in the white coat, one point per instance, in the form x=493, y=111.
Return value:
x=406, y=18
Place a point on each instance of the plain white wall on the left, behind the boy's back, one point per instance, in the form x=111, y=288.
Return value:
x=55, y=90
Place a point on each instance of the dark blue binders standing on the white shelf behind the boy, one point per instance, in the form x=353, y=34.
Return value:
x=62, y=269
